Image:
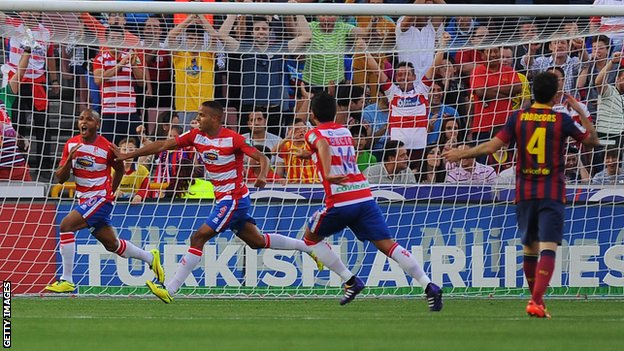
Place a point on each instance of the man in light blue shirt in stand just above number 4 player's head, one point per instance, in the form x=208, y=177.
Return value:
x=560, y=56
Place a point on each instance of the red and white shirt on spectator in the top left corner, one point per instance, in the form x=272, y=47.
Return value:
x=36, y=65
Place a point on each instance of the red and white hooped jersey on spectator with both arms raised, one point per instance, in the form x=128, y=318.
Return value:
x=409, y=113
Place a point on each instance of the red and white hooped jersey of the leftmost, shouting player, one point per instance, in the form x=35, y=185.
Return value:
x=92, y=167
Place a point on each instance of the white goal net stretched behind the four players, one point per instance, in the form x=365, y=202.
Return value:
x=432, y=83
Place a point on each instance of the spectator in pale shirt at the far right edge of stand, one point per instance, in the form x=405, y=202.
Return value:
x=610, y=118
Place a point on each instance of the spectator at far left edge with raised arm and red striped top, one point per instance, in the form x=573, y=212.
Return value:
x=12, y=163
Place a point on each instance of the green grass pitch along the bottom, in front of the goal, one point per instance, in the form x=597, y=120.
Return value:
x=146, y=324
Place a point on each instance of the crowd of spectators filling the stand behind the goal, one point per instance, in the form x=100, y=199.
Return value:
x=408, y=87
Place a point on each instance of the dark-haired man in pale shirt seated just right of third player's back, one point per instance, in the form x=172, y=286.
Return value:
x=394, y=168
